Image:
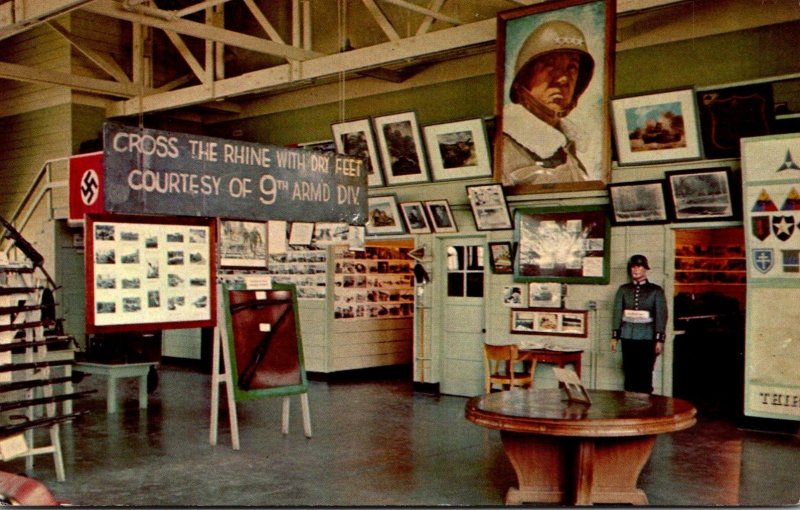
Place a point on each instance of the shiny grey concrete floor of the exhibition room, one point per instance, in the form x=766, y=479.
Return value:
x=375, y=443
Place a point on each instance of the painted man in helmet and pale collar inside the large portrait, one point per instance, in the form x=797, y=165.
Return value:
x=552, y=71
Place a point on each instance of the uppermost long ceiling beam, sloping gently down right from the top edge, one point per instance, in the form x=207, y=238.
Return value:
x=112, y=9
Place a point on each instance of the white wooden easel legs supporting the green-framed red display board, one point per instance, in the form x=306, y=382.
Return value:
x=224, y=374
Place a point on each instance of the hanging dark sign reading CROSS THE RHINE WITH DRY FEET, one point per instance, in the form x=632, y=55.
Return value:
x=148, y=171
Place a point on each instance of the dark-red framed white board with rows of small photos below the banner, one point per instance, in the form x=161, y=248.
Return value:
x=147, y=273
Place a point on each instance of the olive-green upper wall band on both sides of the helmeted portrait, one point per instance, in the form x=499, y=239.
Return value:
x=720, y=59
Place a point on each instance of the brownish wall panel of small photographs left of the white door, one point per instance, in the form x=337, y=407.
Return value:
x=376, y=283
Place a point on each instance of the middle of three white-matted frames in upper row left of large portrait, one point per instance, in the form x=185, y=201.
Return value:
x=401, y=148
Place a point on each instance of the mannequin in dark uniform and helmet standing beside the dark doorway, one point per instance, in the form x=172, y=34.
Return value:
x=639, y=321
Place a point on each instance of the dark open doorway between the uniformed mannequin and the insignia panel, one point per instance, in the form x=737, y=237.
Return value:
x=709, y=305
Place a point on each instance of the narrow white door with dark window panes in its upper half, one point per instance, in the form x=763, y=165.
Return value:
x=463, y=317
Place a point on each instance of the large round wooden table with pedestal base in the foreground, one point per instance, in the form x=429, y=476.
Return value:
x=575, y=453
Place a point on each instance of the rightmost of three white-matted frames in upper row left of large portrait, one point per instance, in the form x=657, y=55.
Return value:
x=458, y=150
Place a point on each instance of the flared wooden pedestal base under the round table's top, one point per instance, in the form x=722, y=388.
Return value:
x=576, y=470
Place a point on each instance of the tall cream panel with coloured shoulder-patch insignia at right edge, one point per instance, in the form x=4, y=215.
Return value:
x=771, y=205
